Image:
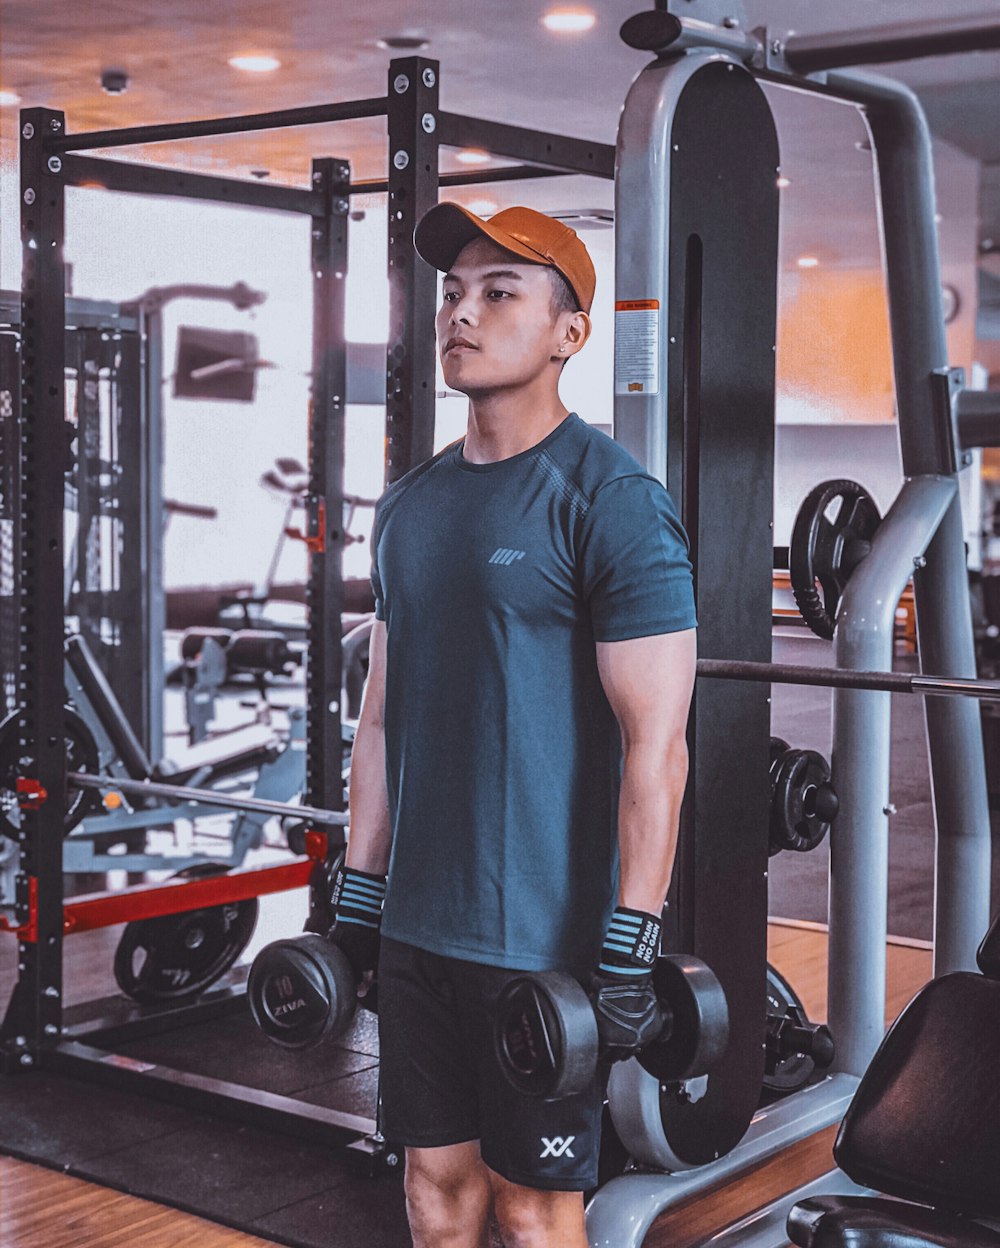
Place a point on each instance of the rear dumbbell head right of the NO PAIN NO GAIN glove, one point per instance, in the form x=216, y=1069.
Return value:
x=699, y=1033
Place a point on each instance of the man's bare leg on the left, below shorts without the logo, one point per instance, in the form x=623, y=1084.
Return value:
x=448, y=1196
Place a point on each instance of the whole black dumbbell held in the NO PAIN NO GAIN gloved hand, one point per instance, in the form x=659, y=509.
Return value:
x=546, y=1035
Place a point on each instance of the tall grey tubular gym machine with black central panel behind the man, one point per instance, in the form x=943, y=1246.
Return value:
x=695, y=402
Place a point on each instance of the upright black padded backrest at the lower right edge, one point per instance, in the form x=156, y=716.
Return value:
x=924, y=1124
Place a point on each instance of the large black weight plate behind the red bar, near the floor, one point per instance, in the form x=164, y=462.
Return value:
x=178, y=957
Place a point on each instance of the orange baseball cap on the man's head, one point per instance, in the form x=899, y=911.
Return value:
x=446, y=229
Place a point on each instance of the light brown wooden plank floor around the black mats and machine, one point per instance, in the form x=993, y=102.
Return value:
x=41, y=1209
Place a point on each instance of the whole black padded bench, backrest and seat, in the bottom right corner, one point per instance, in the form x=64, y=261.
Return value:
x=924, y=1126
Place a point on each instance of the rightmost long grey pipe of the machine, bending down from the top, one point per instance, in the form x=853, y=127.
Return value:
x=904, y=158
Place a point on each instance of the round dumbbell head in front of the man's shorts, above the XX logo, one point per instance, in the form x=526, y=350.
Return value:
x=546, y=1035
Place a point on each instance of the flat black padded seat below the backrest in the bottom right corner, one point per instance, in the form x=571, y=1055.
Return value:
x=876, y=1222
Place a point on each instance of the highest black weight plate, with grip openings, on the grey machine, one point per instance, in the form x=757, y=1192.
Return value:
x=825, y=550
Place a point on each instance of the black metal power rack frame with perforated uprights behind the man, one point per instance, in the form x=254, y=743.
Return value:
x=33, y=1026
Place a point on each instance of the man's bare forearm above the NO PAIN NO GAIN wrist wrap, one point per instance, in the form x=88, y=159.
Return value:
x=649, y=813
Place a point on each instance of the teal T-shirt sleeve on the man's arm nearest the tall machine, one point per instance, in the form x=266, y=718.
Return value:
x=637, y=577
